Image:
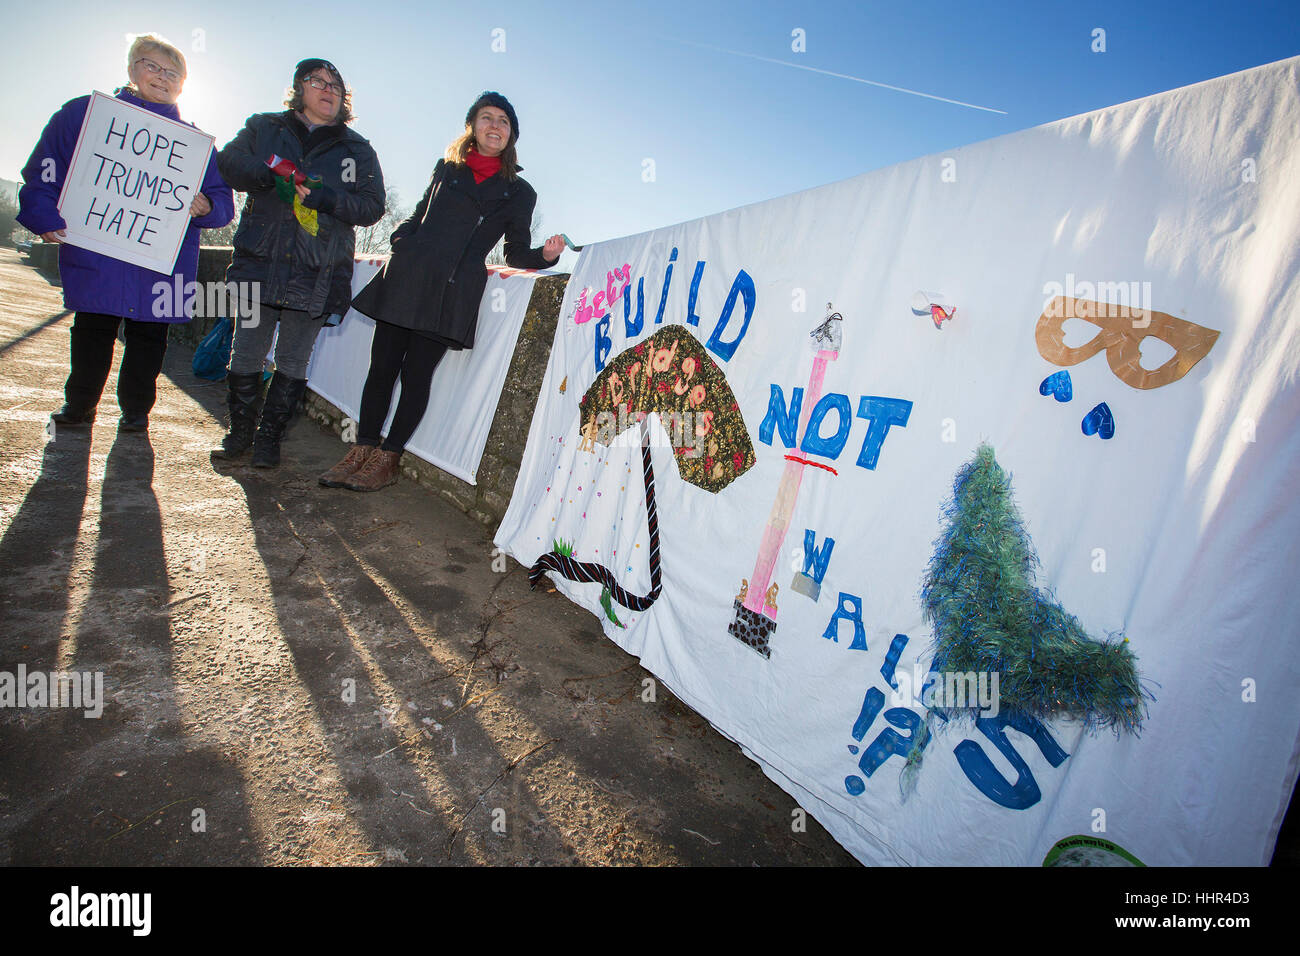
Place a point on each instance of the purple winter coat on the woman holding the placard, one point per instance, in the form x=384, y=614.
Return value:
x=94, y=283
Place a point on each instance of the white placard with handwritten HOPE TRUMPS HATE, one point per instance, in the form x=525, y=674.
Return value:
x=131, y=184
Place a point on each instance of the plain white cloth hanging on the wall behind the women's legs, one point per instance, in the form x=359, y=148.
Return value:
x=466, y=387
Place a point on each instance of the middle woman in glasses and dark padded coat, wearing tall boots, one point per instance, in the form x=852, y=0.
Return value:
x=294, y=244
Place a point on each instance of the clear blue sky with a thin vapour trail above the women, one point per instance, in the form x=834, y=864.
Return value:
x=603, y=89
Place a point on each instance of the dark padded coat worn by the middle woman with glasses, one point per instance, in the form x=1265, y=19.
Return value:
x=297, y=270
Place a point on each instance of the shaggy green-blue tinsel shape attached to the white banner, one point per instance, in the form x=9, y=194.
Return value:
x=987, y=616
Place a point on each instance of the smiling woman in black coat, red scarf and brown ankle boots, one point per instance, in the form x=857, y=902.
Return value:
x=426, y=300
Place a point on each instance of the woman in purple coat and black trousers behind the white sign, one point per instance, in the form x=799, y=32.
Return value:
x=106, y=292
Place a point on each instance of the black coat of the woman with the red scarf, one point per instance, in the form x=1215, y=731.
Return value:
x=435, y=280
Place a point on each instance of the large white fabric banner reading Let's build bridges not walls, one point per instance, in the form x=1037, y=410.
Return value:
x=998, y=295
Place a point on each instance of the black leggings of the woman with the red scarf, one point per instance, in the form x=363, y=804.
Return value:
x=397, y=352
